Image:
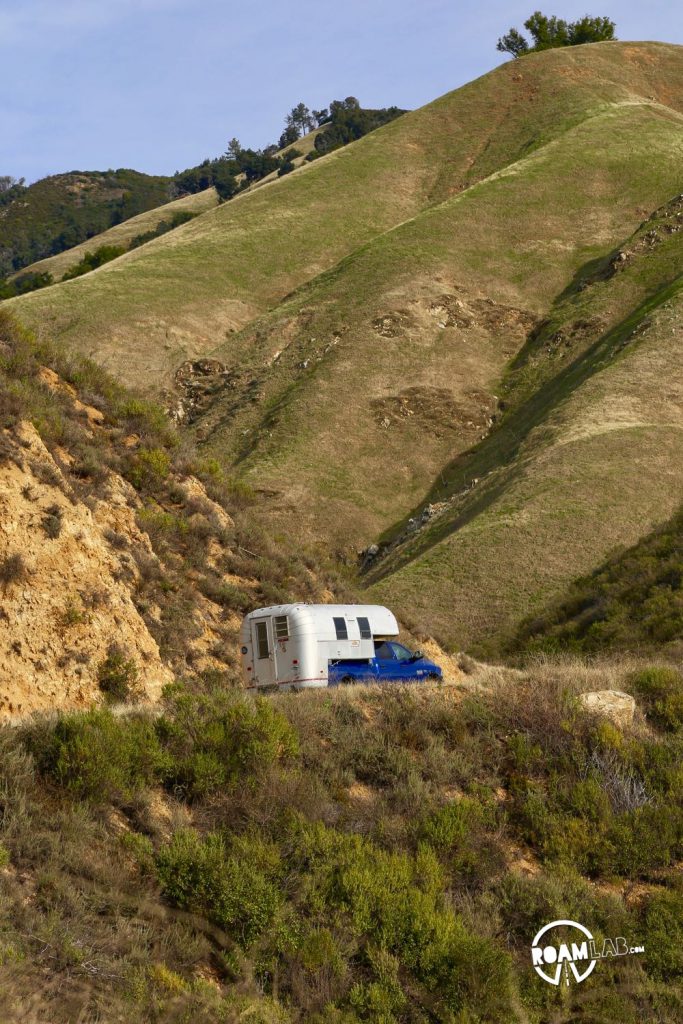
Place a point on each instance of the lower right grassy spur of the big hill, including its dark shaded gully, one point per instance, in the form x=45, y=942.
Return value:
x=583, y=460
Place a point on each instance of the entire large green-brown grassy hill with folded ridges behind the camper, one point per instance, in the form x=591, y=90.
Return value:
x=388, y=336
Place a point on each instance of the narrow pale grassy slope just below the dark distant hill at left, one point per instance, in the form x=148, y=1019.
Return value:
x=122, y=235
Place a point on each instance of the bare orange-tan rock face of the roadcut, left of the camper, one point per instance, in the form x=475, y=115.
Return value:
x=70, y=600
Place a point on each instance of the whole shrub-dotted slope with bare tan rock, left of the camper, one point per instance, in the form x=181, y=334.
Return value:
x=120, y=569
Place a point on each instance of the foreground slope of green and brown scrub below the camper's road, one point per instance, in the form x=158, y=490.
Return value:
x=378, y=856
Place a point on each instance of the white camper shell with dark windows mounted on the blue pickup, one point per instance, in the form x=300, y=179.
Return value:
x=292, y=646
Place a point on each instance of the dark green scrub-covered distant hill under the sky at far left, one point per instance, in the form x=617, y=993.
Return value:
x=61, y=211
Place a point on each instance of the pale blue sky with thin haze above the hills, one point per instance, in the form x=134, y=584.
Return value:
x=159, y=86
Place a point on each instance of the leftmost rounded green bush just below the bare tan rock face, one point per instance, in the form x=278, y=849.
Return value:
x=97, y=756
